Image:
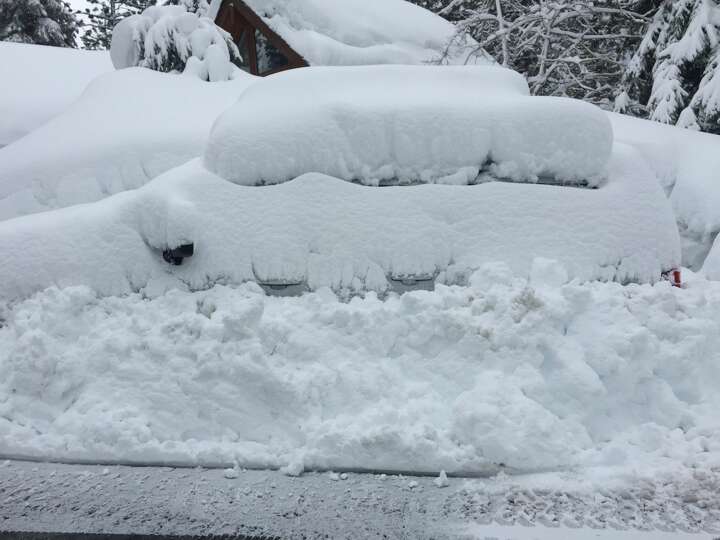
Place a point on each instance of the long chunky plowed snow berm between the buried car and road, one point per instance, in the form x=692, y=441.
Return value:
x=534, y=374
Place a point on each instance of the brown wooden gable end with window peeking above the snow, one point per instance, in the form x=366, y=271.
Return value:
x=263, y=51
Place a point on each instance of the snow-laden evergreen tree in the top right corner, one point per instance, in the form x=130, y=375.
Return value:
x=673, y=77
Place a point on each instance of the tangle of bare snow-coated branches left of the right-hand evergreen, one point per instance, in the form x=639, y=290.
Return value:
x=565, y=47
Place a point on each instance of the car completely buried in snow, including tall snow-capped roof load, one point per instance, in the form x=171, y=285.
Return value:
x=288, y=193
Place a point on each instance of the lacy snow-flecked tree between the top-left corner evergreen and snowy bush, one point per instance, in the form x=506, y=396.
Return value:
x=103, y=15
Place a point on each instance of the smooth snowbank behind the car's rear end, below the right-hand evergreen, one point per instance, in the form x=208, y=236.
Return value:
x=687, y=165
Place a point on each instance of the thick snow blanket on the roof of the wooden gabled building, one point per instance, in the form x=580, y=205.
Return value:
x=354, y=32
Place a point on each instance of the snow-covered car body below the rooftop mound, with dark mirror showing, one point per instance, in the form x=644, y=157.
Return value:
x=318, y=231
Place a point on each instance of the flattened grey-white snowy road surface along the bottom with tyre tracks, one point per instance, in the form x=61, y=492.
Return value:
x=265, y=504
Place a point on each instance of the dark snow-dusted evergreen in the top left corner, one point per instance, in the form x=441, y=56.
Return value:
x=44, y=22
